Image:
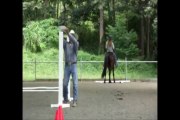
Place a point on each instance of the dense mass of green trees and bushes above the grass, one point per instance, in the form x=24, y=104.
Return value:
x=131, y=23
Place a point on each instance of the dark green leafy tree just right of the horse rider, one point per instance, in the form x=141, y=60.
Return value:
x=124, y=40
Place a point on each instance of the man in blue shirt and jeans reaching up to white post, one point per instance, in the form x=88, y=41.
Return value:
x=70, y=46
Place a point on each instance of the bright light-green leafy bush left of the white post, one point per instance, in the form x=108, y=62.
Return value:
x=40, y=35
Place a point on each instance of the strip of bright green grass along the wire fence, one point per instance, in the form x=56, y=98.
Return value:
x=85, y=70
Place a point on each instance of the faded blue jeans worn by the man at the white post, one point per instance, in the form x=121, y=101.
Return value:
x=70, y=70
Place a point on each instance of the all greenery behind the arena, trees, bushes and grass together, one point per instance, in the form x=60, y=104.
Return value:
x=131, y=23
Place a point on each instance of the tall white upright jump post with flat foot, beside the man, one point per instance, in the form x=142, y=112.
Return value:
x=60, y=92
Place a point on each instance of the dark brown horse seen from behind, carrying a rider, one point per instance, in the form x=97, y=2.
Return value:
x=110, y=65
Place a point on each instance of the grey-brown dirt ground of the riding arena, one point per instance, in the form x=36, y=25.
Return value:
x=97, y=101
